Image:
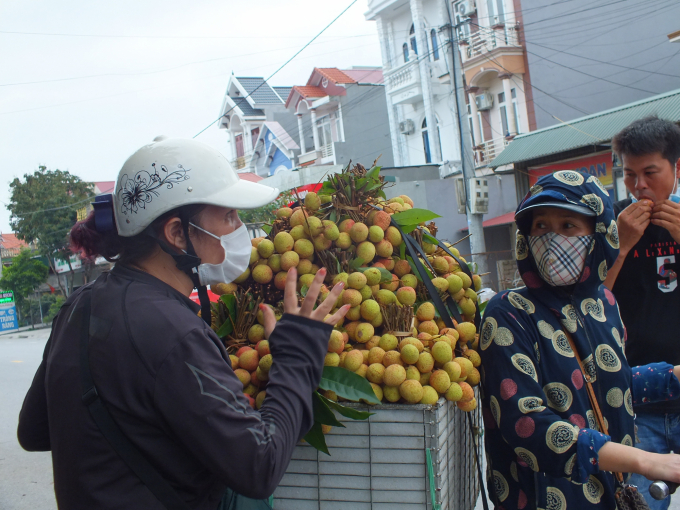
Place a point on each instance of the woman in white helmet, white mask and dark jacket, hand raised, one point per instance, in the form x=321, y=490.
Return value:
x=153, y=365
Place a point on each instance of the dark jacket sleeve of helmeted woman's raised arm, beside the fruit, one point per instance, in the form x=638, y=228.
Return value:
x=202, y=401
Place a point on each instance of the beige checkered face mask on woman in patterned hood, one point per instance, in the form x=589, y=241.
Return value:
x=560, y=259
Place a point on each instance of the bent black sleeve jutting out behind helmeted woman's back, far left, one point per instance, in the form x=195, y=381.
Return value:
x=34, y=429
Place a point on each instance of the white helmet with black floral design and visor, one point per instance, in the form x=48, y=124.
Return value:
x=173, y=172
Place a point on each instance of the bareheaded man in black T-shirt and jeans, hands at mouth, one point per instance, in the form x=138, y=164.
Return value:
x=644, y=276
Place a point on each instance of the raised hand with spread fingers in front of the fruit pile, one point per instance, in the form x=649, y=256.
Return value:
x=290, y=302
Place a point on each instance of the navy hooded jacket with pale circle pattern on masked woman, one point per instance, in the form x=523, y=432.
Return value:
x=534, y=401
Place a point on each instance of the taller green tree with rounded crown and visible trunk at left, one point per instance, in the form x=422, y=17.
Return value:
x=43, y=209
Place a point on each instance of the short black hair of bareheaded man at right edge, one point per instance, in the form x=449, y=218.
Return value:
x=647, y=136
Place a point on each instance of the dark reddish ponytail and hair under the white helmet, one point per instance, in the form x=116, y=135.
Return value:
x=105, y=242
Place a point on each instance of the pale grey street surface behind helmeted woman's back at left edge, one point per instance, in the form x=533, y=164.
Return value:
x=25, y=478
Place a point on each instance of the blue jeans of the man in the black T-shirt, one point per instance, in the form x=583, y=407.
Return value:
x=659, y=433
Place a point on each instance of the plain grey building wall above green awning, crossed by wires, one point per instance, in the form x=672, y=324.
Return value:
x=632, y=34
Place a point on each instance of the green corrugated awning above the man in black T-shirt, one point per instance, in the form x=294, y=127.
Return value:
x=594, y=129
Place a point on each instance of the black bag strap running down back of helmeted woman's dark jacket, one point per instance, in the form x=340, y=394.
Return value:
x=132, y=457
